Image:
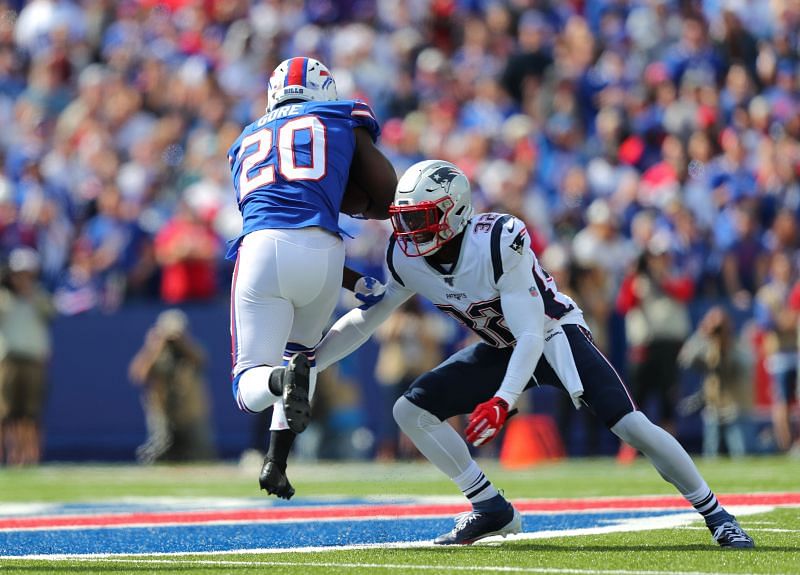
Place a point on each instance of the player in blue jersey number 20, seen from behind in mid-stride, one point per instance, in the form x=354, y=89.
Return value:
x=291, y=170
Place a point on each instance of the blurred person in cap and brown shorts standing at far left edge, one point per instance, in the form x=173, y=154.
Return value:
x=25, y=314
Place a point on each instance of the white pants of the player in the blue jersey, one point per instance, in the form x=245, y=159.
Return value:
x=285, y=288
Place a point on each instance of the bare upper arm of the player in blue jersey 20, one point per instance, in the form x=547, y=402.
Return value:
x=374, y=174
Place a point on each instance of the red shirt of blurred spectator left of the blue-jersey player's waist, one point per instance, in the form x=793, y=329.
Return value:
x=186, y=278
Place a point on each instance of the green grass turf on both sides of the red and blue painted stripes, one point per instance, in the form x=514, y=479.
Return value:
x=684, y=550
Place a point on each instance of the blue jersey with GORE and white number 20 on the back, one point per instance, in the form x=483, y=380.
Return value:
x=290, y=167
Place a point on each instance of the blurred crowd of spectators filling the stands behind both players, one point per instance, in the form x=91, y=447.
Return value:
x=652, y=146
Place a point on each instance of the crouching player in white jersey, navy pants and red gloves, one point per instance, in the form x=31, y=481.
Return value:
x=480, y=269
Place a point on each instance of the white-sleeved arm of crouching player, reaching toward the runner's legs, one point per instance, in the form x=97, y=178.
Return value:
x=355, y=327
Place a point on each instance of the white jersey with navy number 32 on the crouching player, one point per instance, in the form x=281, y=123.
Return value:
x=492, y=244
